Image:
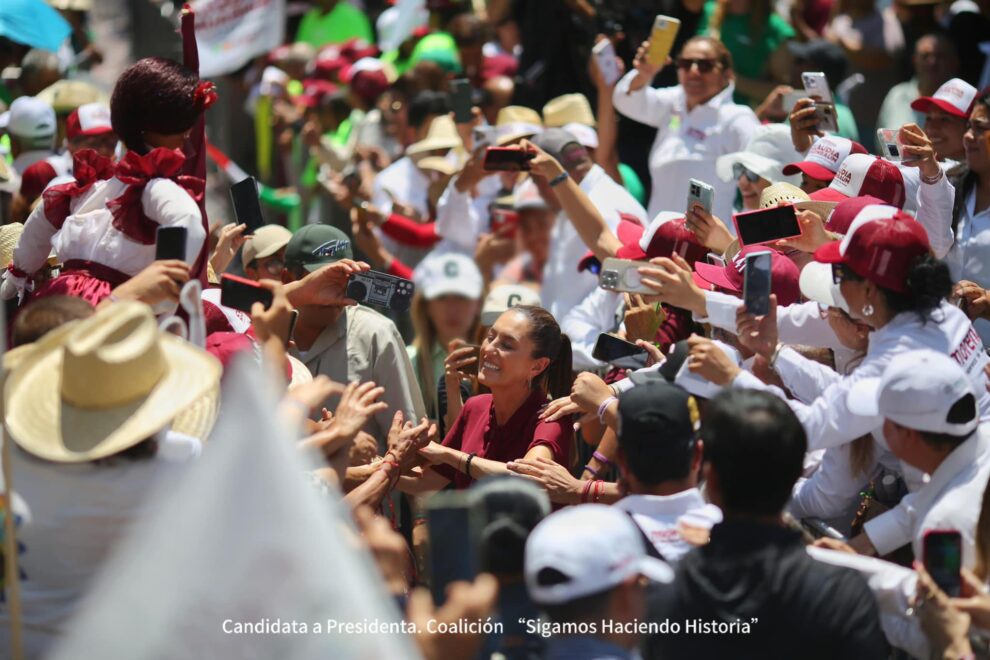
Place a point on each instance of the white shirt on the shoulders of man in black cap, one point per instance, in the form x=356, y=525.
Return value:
x=658, y=516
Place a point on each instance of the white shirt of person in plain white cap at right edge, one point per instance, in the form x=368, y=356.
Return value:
x=952, y=499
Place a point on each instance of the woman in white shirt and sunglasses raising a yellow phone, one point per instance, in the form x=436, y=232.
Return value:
x=696, y=120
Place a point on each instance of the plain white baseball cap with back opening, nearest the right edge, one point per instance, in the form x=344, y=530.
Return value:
x=919, y=390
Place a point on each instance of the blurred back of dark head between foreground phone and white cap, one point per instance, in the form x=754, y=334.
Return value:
x=511, y=508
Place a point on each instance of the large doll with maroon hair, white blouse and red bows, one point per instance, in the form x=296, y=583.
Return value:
x=102, y=225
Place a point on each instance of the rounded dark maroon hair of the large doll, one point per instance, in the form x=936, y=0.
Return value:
x=155, y=94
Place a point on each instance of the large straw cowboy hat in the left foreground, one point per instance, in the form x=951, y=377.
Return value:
x=105, y=384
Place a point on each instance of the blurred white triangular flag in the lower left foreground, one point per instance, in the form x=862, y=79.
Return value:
x=243, y=543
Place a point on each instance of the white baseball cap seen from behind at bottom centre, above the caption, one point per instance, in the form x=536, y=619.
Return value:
x=594, y=546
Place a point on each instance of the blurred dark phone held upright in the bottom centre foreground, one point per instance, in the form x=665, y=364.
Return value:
x=454, y=527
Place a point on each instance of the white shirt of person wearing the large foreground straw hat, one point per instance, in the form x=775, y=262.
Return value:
x=69, y=517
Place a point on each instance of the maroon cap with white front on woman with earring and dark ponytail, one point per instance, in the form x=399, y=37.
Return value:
x=882, y=245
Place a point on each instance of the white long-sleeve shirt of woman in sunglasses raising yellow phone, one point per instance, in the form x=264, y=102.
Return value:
x=688, y=142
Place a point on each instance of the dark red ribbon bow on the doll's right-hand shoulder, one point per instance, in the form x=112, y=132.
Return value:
x=137, y=171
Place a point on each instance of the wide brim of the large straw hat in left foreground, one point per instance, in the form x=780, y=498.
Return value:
x=43, y=425
